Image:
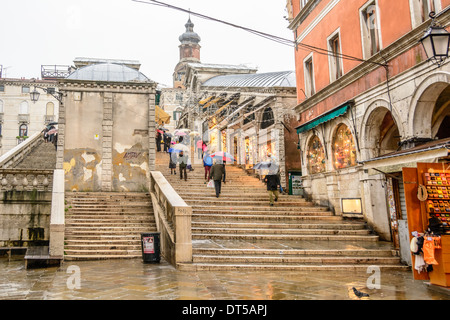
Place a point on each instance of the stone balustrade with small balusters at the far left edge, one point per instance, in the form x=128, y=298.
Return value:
x=26, y=180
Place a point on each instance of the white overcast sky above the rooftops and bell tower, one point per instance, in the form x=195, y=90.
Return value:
x=49, y=32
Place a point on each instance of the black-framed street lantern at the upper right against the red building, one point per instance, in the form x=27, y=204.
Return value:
x=436, y=42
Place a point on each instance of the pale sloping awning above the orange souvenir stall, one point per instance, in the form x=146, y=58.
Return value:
x=395, y=161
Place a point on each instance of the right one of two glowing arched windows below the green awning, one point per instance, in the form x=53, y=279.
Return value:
x=344, y=151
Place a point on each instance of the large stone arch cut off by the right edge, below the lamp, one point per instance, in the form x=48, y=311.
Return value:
x=426, y=114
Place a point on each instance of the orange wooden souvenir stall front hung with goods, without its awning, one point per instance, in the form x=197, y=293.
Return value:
x=427, y=193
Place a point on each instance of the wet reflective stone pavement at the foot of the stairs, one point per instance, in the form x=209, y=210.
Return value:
x=135, y=280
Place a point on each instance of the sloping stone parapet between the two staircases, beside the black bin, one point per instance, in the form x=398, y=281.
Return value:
x=173, y=220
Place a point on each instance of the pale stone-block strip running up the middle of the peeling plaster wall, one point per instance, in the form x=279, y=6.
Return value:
x=107, y=126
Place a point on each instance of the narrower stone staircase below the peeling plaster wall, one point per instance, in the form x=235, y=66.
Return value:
x=106, y=225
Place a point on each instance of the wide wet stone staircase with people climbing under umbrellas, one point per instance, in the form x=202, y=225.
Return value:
x=240, y=230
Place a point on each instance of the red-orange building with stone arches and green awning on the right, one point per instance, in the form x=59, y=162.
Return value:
x=365, y=92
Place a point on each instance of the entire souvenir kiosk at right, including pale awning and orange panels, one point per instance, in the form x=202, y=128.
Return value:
x=418, y=201
